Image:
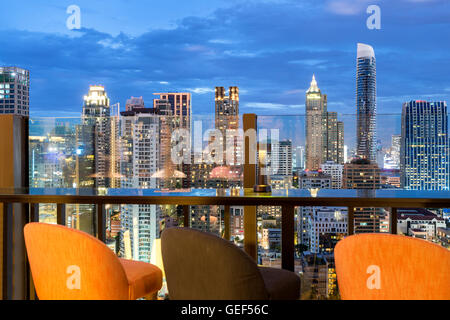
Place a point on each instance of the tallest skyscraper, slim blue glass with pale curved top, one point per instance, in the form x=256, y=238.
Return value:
x=366, y=103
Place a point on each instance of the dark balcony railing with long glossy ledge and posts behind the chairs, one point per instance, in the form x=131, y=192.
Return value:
x=21, y=206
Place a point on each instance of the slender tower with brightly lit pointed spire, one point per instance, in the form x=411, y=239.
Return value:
x=316, y=106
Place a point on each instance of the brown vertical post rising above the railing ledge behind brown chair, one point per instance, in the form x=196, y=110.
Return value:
x=250, y=147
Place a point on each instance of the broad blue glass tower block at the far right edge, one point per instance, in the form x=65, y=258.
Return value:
x=425, y=156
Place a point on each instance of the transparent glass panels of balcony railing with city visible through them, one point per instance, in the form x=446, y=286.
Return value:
x=148, y=151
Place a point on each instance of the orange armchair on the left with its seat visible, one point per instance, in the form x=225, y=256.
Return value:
x=68, y=264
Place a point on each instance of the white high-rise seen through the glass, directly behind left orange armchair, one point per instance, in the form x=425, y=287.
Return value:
x=140, y=135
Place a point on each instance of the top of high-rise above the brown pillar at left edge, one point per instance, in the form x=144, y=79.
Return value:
x=14, y=91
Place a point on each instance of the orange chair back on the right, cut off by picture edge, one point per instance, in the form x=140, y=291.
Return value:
x=391, y=267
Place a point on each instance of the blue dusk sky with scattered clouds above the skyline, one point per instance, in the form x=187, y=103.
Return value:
x=269, y=49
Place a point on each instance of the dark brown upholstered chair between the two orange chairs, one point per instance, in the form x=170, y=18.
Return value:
x=203, y=266
